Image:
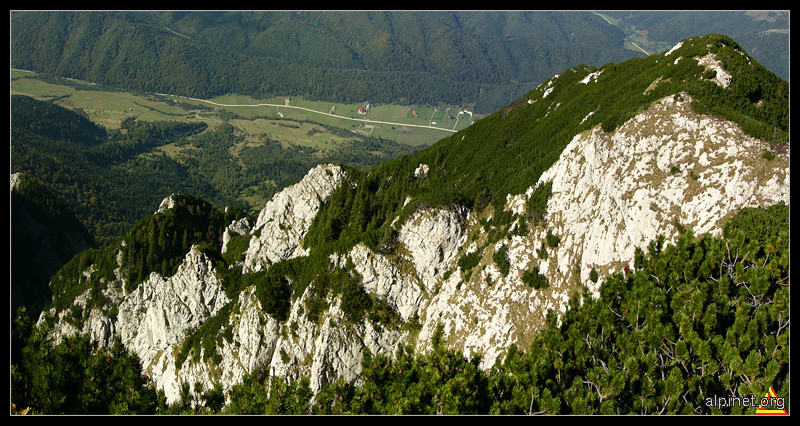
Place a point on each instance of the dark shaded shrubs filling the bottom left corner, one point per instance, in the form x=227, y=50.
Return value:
x=76, y=377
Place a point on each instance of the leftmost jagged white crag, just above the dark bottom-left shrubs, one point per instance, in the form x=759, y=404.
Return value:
x=153, y=319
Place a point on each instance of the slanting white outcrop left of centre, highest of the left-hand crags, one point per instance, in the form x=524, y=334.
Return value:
x=286, y=218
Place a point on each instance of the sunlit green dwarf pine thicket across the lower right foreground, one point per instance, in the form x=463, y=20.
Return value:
x=694, y=320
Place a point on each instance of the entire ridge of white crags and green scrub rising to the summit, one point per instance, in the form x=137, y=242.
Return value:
x=385, y=261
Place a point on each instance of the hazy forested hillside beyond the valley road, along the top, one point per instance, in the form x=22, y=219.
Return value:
x=427, y=58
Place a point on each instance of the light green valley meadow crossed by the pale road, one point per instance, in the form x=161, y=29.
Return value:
x=289, y=121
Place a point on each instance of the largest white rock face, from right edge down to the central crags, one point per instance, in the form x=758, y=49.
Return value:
x=611, y=193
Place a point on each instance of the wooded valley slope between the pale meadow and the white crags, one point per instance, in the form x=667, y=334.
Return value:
x=112, y=178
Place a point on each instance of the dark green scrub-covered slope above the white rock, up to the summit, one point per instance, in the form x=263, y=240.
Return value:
x=514, y=146
